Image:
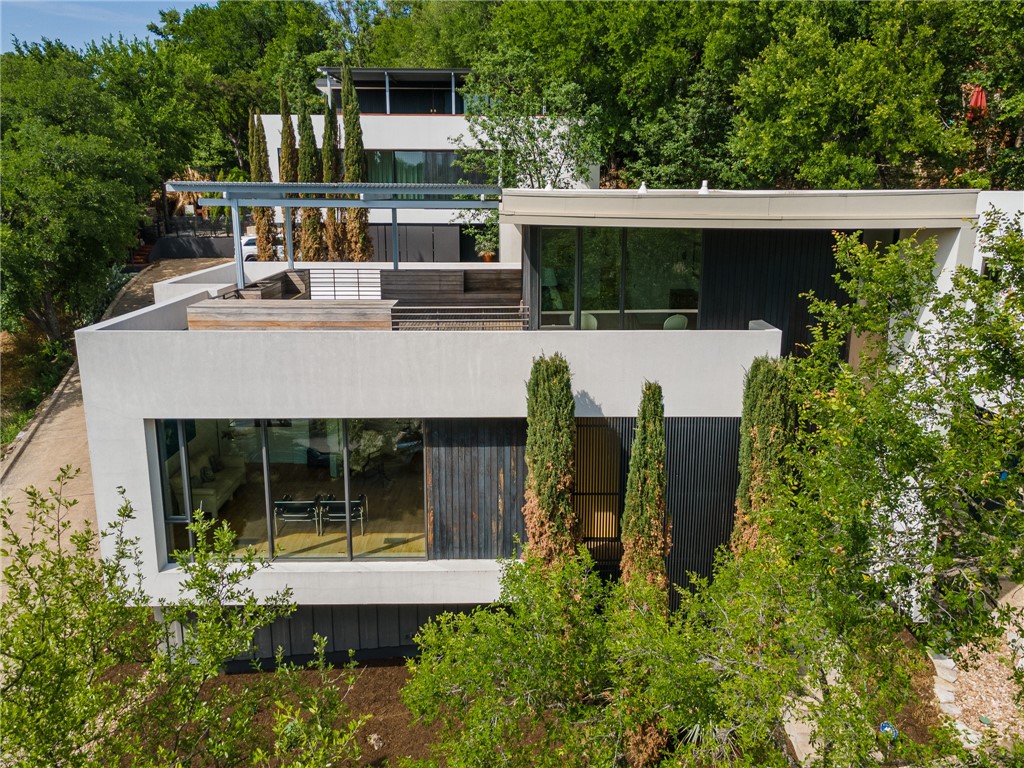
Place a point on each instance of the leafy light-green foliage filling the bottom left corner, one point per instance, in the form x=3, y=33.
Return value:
x=91, y=679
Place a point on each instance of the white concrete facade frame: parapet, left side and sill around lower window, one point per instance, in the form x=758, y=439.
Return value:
x=134, y=374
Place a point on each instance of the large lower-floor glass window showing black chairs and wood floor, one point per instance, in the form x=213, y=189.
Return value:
x=298, y=488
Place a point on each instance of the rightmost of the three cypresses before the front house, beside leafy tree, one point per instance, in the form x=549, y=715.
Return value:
x=767, y=426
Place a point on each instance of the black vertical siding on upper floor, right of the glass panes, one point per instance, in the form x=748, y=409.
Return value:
x=753, y=275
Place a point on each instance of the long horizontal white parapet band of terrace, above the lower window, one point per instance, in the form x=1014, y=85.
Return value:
x=381, y=374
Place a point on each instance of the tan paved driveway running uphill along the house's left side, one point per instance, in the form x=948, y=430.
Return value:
x=57, y=437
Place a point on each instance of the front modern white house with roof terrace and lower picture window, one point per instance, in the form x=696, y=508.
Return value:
x=364, y=425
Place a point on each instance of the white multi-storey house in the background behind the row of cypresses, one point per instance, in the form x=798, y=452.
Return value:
x=411, y=121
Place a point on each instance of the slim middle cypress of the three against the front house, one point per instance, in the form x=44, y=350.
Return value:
x=646, y=532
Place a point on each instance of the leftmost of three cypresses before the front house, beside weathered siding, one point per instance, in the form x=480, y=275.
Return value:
x=551, y=526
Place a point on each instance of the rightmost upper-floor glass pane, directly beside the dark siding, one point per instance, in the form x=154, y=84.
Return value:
x=663, y=279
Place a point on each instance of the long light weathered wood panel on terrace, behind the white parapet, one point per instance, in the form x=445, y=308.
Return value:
x=227, y=315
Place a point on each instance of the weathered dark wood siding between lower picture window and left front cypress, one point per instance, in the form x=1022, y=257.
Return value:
x=477, y=482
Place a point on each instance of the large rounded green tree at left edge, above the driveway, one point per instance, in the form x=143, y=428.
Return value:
x=75, y=173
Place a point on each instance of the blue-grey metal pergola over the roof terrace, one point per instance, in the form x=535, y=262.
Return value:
x=239, y=195
